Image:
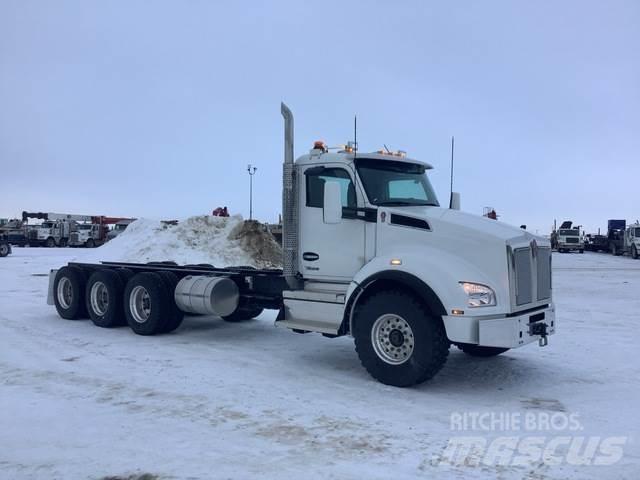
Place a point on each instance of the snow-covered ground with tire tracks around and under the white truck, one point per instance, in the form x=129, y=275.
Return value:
x=219, y=400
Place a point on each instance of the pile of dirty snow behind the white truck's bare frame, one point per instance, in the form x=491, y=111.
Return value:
x=220, y=241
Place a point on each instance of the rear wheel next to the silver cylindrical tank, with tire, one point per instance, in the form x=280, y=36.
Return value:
x=146, y=304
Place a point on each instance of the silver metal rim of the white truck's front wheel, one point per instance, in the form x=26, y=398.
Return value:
x=392, y=339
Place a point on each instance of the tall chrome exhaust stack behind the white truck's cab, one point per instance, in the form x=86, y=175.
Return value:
x=290, y=213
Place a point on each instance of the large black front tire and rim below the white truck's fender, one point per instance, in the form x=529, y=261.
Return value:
x=398, y=340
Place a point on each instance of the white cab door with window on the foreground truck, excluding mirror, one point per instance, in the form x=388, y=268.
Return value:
x=329, y=252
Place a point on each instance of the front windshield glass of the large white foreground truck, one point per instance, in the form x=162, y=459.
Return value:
x=393, y=183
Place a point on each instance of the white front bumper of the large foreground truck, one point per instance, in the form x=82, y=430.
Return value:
x=502, y=331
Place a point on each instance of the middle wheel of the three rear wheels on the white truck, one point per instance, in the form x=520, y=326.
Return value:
x=104, y=299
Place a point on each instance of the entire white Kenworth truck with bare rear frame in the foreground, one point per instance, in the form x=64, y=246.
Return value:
x=367, y=251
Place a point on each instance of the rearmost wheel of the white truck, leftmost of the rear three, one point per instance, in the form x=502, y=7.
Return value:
x=68, y=293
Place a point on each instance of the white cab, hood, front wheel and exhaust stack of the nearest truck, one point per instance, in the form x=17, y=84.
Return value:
x=369, y=251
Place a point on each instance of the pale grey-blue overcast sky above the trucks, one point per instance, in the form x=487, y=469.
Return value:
x=155, y=108
